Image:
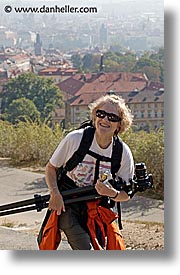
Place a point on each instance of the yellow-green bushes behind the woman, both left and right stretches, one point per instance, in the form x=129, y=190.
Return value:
x=33, y=142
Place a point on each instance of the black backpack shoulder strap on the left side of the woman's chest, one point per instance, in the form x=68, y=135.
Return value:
x=84, y=146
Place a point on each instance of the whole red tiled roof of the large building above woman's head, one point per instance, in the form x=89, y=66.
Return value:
x=88, y=87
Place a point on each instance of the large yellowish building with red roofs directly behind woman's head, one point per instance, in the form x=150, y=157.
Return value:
x=145, y=98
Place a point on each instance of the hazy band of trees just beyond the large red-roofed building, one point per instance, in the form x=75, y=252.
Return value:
x=152, y=64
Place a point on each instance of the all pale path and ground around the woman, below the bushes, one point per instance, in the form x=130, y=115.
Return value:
x=143, y=218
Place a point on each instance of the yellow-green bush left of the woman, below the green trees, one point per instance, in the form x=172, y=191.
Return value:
x=28, y=141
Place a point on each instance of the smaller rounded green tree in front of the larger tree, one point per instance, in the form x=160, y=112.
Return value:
x=21, y=109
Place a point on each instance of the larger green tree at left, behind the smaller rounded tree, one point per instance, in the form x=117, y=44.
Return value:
x=43, y=92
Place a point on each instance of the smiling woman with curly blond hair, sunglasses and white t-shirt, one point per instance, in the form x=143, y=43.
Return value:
x=110, y=116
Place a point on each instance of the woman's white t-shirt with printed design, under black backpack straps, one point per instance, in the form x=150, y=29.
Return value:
x=83, y=174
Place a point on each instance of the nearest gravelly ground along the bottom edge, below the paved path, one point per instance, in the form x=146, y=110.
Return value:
x=137, y=236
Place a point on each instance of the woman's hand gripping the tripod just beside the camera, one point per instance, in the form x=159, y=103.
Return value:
x=105, y=189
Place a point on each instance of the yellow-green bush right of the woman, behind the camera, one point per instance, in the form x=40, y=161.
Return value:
x=149, y=148
